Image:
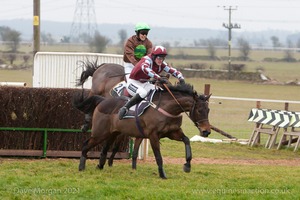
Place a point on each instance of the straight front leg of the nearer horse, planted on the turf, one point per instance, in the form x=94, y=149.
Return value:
x=154, y=141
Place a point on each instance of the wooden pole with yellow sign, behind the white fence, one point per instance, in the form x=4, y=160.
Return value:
x=36, y=26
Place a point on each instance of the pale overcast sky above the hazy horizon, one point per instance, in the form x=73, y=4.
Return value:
x=252, y=15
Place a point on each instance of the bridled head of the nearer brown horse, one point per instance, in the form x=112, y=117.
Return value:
x=199, y=114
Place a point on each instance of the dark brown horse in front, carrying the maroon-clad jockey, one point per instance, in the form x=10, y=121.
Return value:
x=163, y=121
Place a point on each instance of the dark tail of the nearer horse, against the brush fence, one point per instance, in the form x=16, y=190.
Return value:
x=87, y=105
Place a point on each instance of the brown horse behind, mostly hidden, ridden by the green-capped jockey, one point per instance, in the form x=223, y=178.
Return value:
x=104, y=78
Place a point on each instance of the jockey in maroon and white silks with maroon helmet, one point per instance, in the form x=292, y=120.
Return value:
x=149, y=66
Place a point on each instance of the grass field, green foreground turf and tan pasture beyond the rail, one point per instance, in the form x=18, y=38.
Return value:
x=219, y=171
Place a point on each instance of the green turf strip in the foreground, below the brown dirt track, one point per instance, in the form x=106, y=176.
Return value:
x=59, y=179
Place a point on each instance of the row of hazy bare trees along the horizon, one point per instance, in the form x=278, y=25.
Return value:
x=98, y=43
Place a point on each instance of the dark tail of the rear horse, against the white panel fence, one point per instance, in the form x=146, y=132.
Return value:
x=90, y=68
